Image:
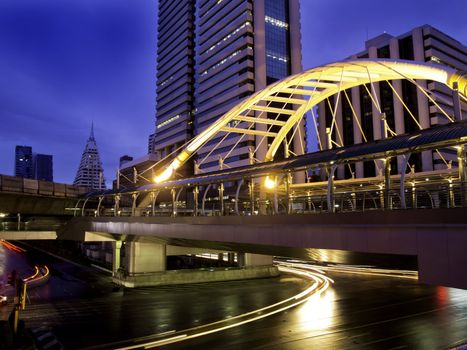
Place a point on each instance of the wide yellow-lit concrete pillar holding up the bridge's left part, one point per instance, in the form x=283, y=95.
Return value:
x=145, y=257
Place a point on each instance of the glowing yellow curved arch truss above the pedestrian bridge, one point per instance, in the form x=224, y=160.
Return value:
x=297, y=95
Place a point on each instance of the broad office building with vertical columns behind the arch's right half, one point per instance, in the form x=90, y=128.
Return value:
x=424, y=44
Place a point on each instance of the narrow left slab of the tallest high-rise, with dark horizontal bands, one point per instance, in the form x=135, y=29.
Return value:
x=175, y=76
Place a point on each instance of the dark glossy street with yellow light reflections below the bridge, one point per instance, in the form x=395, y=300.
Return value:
x=359, y=311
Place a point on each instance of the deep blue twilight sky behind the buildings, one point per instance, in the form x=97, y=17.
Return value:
x=66, y=63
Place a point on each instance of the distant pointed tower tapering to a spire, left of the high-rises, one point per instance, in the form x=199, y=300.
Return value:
x=90, y=173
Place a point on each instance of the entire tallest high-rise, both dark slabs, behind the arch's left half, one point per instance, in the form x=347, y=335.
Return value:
x=240, y=47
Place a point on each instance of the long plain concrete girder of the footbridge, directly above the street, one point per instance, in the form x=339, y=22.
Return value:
x=437, y=238
